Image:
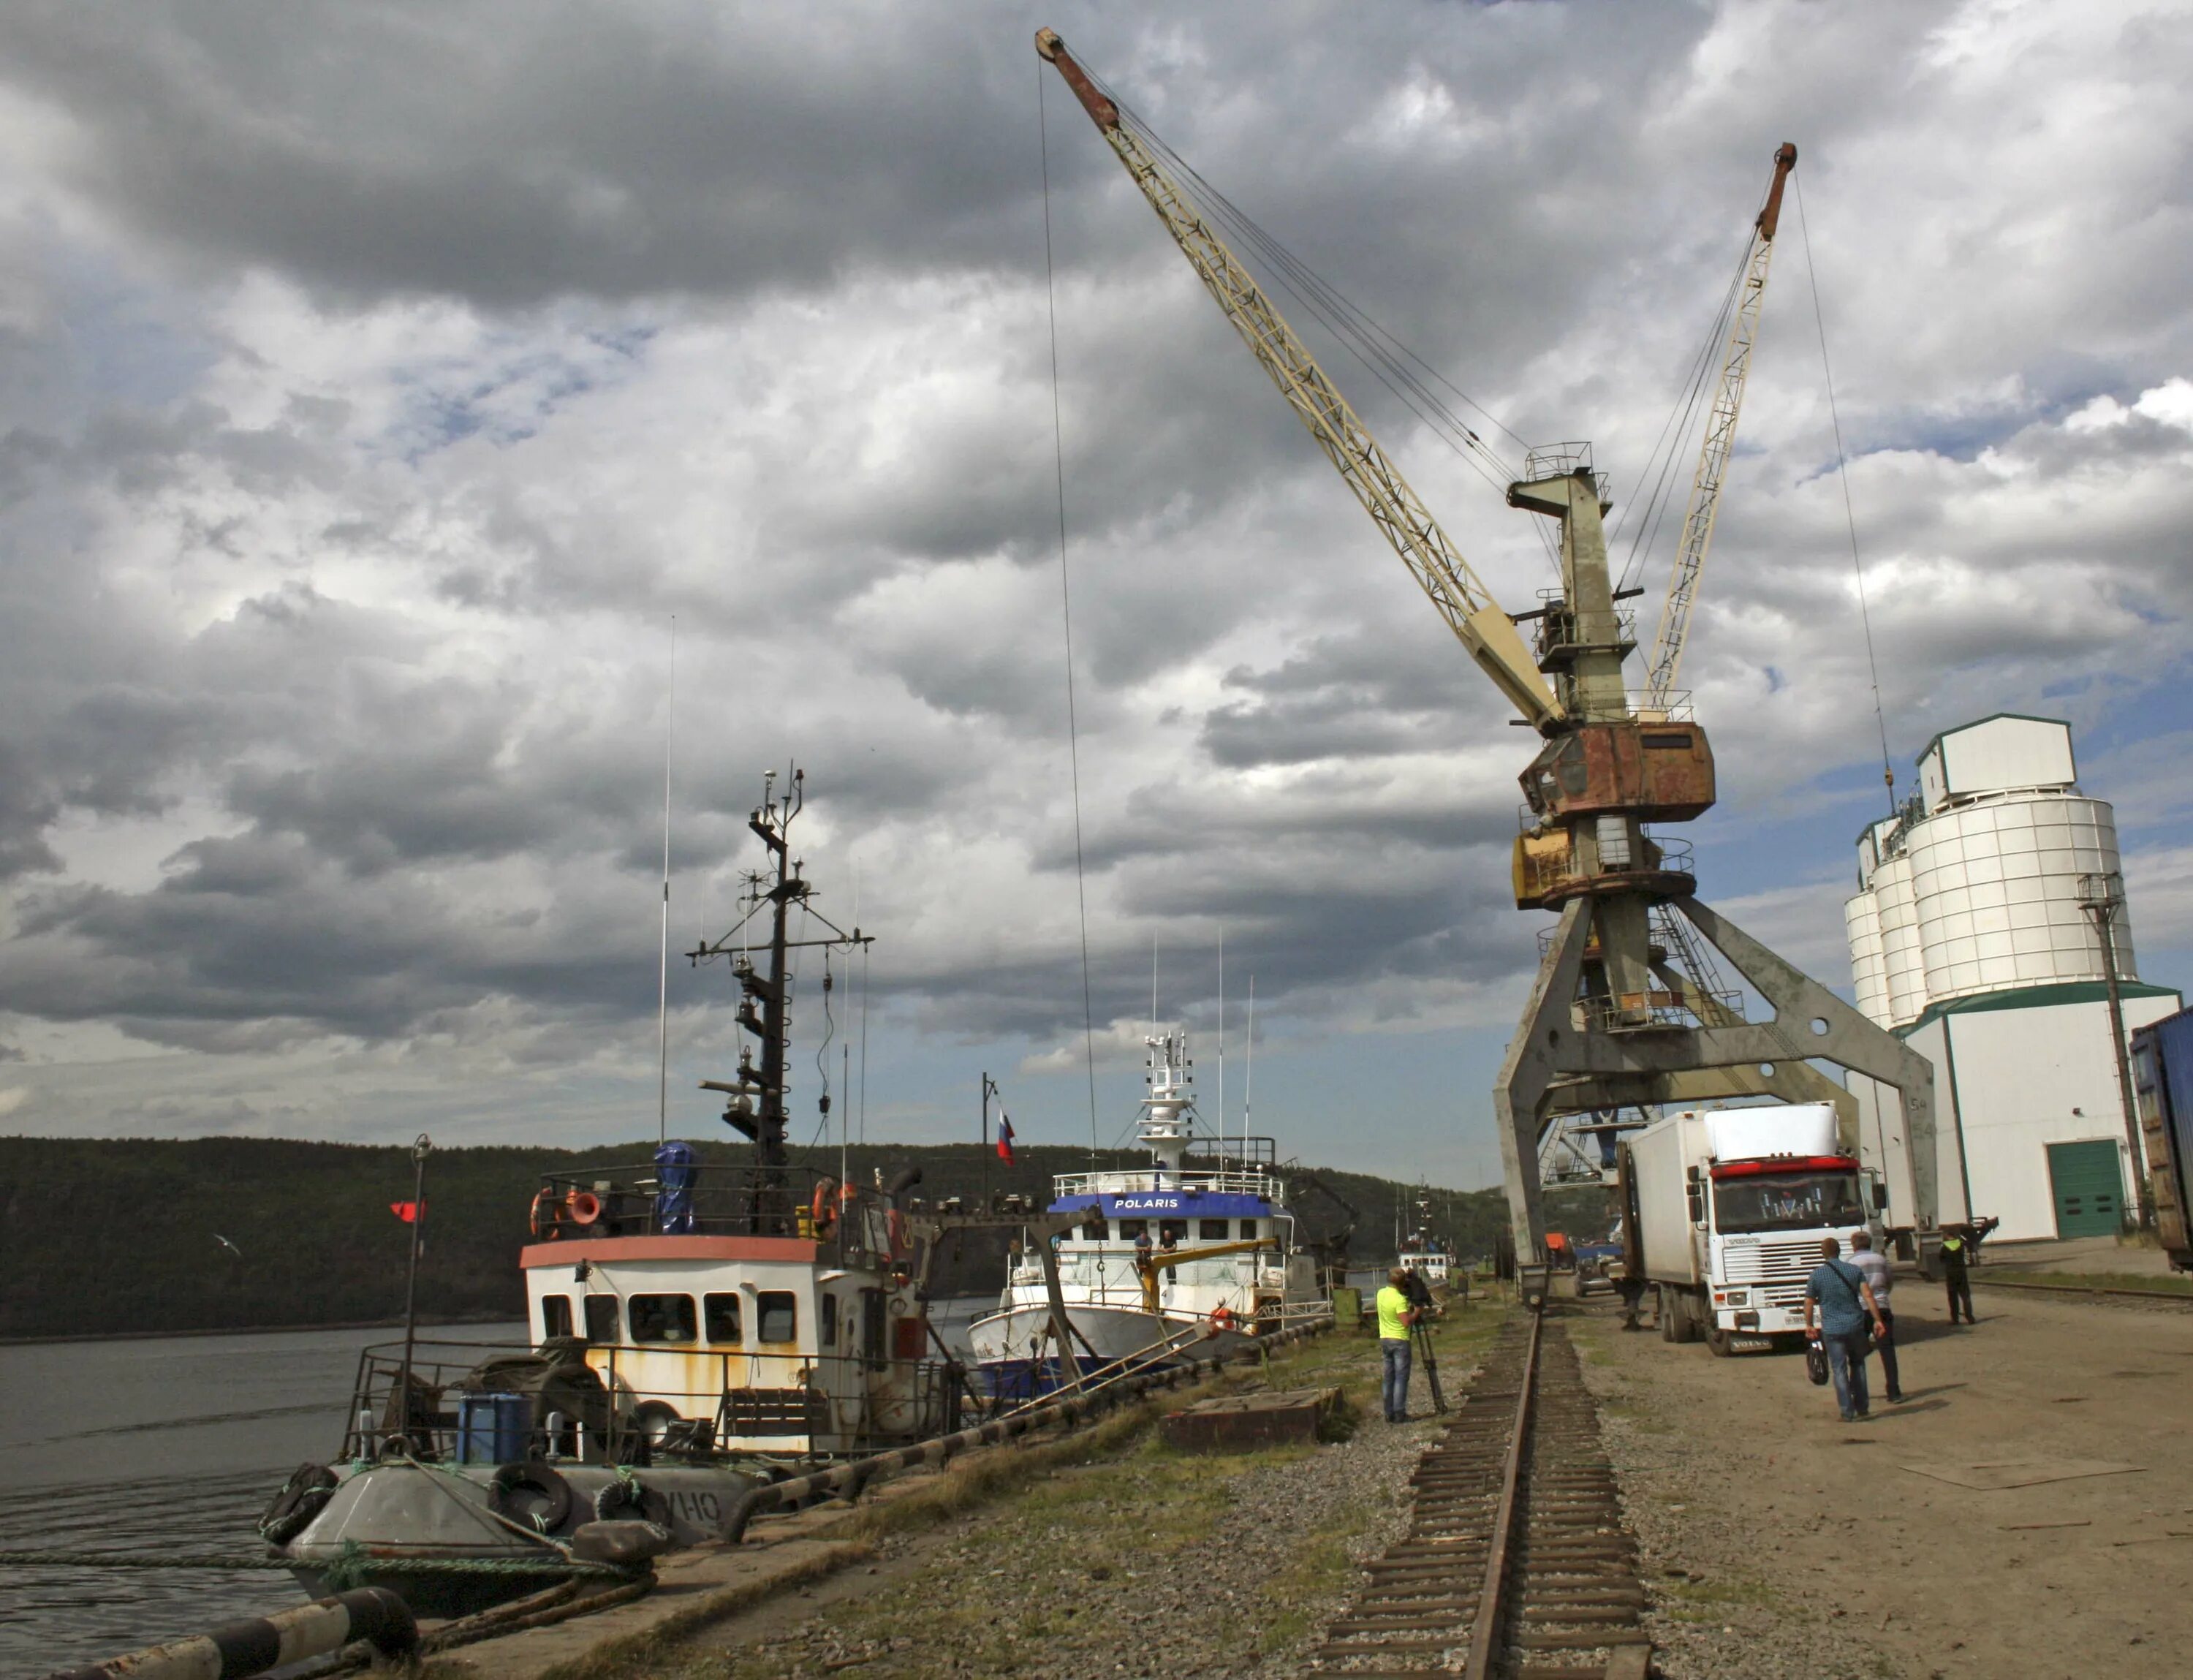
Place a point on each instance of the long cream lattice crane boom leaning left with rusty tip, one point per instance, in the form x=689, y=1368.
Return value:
x=1431, y=556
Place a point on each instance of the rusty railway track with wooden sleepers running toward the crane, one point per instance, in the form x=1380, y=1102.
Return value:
x=1516, y=1563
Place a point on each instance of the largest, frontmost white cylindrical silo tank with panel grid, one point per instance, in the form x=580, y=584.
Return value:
x=1999, y=889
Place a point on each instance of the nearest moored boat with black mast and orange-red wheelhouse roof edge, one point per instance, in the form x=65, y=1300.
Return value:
x=696, y=1326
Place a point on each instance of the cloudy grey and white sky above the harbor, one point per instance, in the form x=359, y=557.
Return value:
x=383, y=381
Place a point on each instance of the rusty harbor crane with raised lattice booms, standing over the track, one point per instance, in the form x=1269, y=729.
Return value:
x=1626, y=1010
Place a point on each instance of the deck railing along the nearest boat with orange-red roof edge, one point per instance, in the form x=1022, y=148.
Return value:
x=604, y=1405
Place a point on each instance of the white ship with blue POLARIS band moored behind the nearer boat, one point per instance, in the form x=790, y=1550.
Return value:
x=1185, y=1258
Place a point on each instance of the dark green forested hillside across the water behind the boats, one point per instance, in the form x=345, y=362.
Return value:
x=126, y=1236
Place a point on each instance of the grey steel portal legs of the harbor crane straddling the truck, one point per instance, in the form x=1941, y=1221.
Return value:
x=1556, y=1067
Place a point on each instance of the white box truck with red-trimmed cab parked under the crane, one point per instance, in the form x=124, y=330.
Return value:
x=1725, y=1212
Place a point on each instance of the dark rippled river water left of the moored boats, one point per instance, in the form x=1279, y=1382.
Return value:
x=172, y=1446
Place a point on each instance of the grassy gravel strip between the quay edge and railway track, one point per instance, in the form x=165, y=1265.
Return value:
x=1150, y=1563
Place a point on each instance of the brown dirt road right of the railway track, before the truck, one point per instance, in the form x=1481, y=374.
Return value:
x=1784, y=1541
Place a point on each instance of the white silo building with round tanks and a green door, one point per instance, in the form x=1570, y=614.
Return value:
x=1975, y=938
